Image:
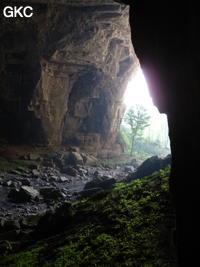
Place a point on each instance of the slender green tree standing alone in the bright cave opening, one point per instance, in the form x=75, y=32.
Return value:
x=137, y=119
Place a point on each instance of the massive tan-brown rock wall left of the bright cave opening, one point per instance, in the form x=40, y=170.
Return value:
x=64, y=72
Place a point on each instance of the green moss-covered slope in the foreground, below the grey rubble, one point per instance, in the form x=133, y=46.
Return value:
x=128, y=226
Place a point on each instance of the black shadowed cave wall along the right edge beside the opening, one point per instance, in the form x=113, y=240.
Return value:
x=165, y=37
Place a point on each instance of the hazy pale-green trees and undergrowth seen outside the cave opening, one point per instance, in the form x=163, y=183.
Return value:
x=140, y=141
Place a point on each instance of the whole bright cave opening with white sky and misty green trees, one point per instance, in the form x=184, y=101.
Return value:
x=152, y=139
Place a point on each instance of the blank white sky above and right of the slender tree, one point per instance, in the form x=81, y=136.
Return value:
x=138, y=93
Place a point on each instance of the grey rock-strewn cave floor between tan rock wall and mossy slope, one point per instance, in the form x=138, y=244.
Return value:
x=33, y=184
